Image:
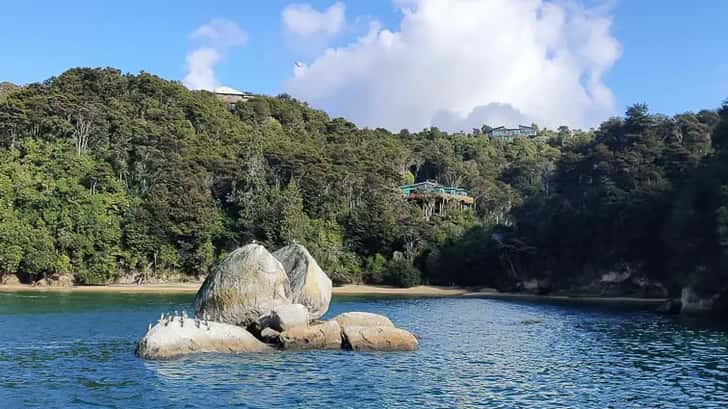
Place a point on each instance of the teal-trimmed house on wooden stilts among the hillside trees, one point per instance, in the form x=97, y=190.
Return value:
x=435, y=198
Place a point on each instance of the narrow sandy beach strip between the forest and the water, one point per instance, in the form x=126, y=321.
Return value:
x=346, y=290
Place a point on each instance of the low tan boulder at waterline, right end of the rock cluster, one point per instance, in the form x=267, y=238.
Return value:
x=378, y=339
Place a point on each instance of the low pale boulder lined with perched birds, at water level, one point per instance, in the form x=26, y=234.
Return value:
x=173, y=338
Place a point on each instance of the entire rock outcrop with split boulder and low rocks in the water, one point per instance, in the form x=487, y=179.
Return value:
x=255, y=304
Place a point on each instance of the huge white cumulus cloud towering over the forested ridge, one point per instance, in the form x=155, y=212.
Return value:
x=460, y=63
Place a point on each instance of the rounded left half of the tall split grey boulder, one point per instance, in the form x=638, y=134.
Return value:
x=247, y=284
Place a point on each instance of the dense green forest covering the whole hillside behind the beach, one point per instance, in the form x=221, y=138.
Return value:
x=104, y=174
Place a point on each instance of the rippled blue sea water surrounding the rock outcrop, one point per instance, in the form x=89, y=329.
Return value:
x=76, y=351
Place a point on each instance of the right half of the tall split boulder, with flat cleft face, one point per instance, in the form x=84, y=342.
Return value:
x=310, y=286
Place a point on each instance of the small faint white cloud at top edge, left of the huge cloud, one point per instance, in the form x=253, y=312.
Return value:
x=304, y=21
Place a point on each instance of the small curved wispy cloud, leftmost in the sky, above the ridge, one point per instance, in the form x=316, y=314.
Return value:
x=214, y=39
